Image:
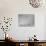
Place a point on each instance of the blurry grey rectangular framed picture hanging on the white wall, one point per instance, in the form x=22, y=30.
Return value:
x=26, y=20
